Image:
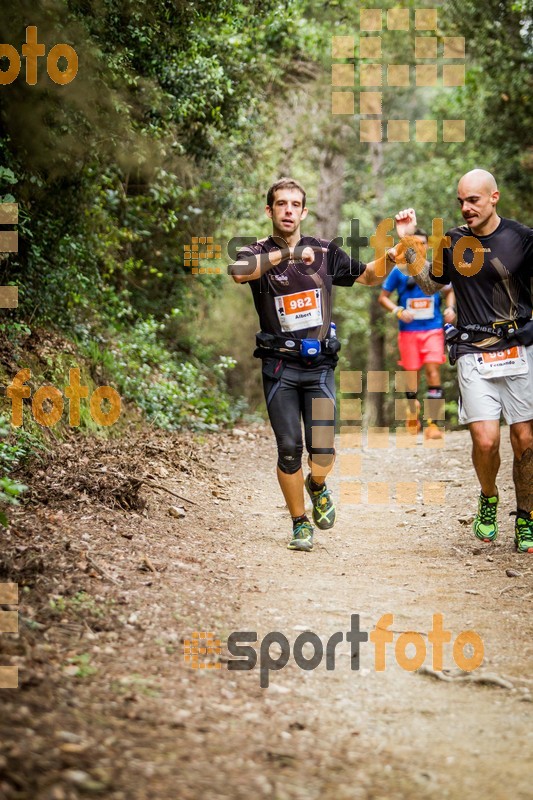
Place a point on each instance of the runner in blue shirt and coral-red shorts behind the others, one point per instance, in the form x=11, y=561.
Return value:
x=420, y=336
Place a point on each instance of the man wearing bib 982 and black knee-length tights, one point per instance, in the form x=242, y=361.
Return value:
x=291, y=279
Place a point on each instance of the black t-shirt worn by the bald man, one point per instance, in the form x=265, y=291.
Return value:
x=491, y=275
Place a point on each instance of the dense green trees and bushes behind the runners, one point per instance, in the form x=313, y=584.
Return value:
x=181, y=115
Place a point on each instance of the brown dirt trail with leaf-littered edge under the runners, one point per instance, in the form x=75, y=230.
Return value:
x=108, y=707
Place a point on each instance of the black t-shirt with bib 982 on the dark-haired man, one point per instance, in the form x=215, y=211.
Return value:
x=294, y=299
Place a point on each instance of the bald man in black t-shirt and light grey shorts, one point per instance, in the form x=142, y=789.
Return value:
x=489, y=262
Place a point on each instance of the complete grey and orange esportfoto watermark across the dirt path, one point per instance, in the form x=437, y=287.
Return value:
x=246, y=656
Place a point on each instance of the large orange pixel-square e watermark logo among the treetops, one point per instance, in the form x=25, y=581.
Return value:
x=364, y=74
